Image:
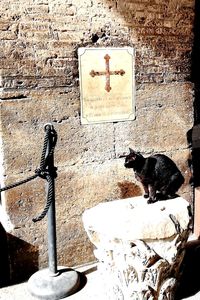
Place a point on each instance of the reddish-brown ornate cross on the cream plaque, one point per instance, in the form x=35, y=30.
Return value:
x=107, y=73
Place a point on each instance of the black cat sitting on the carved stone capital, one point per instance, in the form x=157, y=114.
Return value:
x=157, y=173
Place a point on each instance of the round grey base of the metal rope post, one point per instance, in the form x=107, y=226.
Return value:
x=45, y=285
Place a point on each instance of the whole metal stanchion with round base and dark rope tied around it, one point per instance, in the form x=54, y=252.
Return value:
x=54, y=282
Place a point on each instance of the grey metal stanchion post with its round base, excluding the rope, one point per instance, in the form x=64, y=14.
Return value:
x=55, y=282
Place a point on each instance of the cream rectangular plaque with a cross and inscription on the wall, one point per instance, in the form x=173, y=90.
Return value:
x=107, y=84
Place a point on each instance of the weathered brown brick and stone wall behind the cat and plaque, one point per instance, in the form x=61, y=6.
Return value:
x=40, y=83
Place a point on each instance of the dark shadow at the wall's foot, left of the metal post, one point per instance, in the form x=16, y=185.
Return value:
x=18, y=259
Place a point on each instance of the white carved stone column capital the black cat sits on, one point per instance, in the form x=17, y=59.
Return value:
x=139, y=246
